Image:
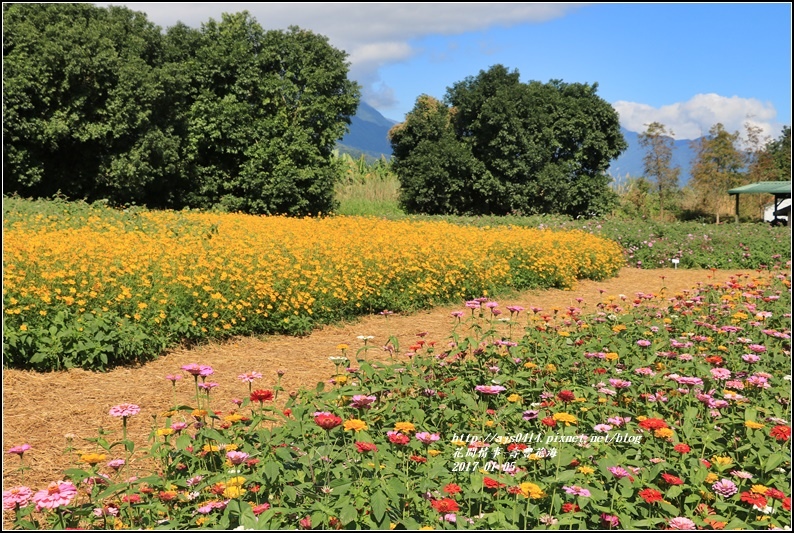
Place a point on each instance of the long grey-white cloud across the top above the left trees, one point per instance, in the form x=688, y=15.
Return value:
x=373, y=34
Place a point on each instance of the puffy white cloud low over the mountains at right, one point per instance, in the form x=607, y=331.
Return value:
x=695, y=117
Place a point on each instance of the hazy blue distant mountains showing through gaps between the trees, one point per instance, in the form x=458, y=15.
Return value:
x=369, y=130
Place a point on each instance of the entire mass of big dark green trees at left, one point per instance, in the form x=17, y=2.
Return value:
x=100, y=103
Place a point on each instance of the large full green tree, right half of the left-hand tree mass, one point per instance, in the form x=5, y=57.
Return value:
x=268, y=110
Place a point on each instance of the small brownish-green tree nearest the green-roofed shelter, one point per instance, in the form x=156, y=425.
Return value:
x=717, y=167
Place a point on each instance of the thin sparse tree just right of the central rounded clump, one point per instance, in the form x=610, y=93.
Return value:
x=657, y=162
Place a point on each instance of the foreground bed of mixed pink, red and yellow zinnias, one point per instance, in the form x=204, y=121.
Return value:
x=668, y=411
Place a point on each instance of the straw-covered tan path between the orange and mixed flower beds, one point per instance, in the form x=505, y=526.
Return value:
x=39, y=409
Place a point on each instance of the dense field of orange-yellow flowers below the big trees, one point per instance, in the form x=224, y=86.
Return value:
x=90, y=287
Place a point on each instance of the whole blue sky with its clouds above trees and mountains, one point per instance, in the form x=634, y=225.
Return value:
x=685, y=65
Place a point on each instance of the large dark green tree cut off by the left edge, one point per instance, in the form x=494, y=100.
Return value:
x=85, y=108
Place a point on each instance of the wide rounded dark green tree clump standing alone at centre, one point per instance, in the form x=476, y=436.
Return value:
x=509, y=147
